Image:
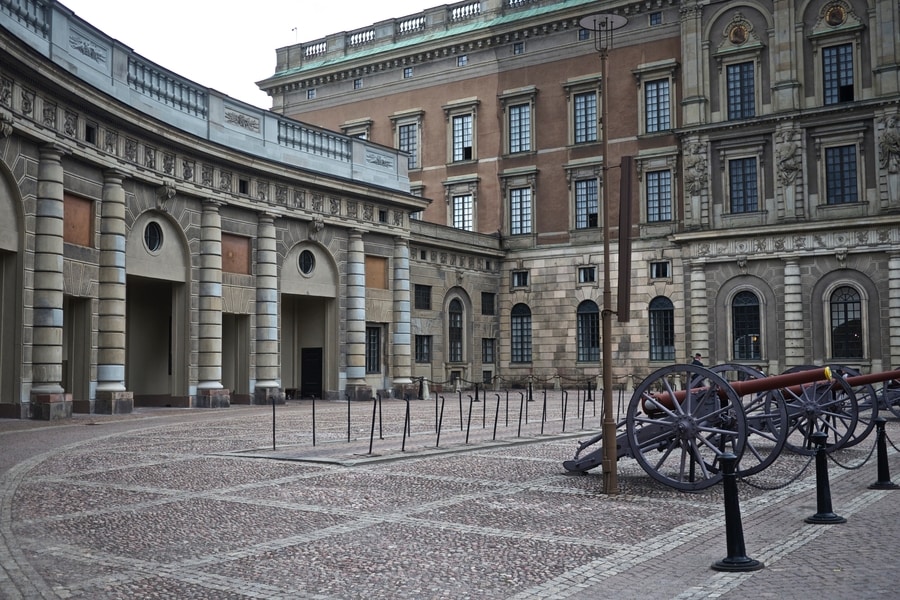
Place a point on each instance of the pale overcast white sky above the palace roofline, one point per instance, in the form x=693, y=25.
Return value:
x=229, y=46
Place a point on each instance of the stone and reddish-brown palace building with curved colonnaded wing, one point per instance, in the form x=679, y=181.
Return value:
x=428, y=197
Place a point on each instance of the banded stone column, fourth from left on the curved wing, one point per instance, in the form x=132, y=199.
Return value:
x=268, y=384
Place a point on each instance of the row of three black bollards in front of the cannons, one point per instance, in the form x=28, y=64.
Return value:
x=737, y=559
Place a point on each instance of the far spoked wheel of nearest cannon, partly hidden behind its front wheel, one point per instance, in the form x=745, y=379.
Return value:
x=766, y=416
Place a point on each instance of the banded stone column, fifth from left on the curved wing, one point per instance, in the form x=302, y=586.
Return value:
x=356, y=317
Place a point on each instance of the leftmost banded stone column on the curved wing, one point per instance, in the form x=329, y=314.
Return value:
x=49, y=400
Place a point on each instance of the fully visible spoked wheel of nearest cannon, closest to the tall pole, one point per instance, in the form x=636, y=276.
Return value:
x=680, y=445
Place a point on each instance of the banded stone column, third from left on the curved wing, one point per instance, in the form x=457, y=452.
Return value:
x=210, y=393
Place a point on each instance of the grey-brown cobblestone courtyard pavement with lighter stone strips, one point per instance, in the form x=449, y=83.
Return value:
x=168, y=503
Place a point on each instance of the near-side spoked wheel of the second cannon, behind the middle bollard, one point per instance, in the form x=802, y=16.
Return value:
x=829, y=407
